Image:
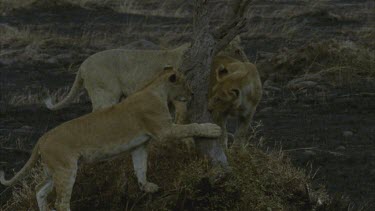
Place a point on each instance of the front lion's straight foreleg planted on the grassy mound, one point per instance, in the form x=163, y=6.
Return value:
x=139, y=157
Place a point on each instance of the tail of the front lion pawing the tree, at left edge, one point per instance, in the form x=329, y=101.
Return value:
x=26, y=168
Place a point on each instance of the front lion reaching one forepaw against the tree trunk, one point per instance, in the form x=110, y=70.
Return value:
x=103, y=134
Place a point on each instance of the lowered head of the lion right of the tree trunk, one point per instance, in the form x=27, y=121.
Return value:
x=226, y=93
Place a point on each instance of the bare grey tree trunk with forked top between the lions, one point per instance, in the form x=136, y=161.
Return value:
x=206, y=42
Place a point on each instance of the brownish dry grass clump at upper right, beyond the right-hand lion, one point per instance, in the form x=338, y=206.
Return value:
x=336, y=60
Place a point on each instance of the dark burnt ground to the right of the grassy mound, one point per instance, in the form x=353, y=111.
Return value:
x=345, y=164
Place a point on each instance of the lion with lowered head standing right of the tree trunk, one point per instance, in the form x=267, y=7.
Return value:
x=235, y=90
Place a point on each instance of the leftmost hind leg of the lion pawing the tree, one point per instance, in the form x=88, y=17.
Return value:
x=43, y=190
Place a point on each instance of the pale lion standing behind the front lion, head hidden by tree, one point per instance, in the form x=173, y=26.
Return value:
x=112, y=74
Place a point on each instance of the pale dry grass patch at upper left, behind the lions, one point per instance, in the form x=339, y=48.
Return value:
x=22, y=45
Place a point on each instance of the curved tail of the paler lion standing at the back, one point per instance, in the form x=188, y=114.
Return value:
x=74, y=91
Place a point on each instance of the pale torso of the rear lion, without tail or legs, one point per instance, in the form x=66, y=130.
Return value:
x=128, y=69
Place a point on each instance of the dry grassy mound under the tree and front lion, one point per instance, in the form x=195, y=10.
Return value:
x=258, y=181
